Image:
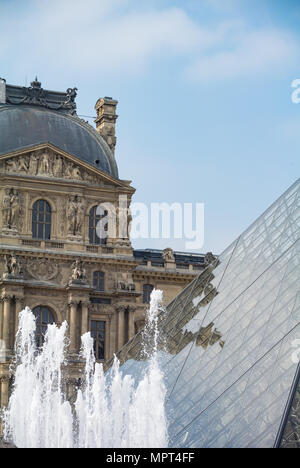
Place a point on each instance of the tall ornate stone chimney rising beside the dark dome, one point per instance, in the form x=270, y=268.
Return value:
x=106, y=120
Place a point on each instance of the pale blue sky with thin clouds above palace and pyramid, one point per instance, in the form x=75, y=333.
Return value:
x=204, y=91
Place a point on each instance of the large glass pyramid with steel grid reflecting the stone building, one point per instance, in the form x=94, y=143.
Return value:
x=227, y=341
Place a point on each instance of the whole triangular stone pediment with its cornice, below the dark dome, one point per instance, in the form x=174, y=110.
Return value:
x=49, y=162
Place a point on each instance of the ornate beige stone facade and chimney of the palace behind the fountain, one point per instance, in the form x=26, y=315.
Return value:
x=58, y=272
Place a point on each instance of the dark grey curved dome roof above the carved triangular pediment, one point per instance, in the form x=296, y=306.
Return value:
x=26, y=126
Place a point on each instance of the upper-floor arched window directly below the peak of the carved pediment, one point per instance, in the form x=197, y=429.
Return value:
x=41, y=220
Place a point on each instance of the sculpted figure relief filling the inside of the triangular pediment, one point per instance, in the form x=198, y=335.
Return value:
x=47, y=163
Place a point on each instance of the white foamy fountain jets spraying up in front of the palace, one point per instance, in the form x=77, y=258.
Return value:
x=111, y=411
